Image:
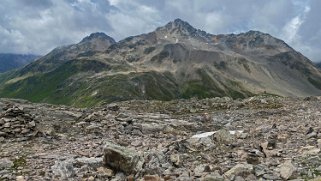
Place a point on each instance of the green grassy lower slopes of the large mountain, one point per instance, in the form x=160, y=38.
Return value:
x=71, y=84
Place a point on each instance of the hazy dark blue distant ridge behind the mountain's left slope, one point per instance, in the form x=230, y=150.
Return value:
x=9, y=61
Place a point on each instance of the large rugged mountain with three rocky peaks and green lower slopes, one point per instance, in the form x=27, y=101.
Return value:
x=174, y=61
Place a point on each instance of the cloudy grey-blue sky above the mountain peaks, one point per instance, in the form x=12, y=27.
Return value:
x=37, y=26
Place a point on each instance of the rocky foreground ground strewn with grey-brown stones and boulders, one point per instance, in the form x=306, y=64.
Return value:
x=259, y=138
